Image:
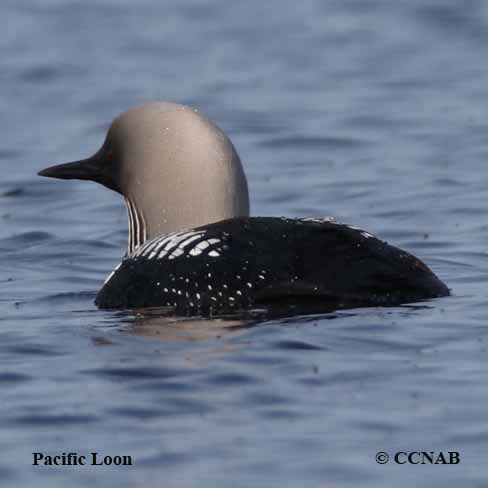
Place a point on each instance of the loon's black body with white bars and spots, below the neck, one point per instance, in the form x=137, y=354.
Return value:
x=248, y=262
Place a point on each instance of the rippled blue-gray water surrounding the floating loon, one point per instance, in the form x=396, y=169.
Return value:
x=372, y=111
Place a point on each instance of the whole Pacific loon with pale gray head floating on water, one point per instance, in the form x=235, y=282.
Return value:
x=193, y=247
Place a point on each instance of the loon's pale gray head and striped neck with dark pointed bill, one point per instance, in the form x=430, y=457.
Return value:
x=175, y=168
